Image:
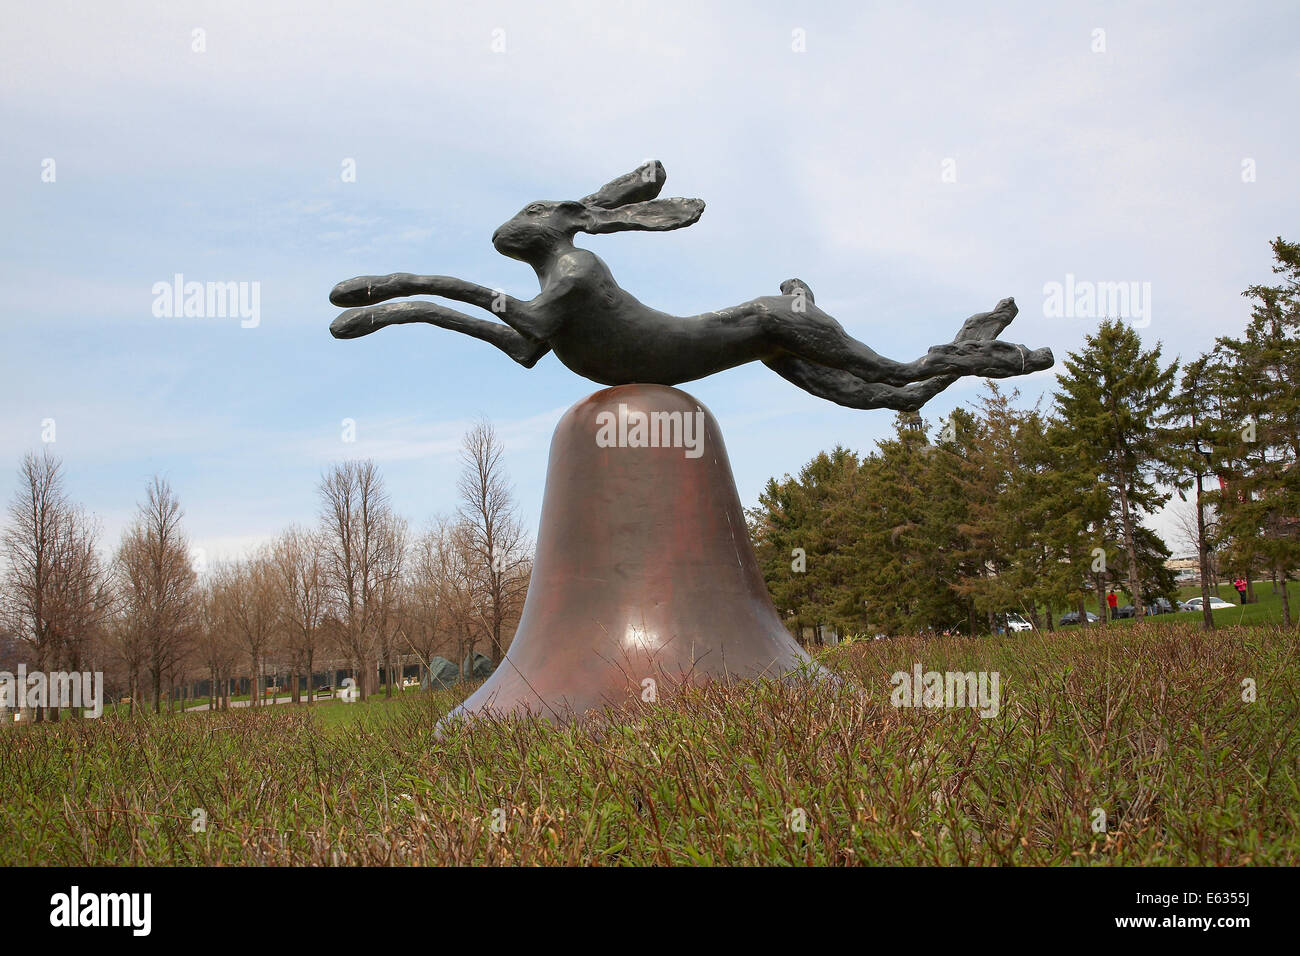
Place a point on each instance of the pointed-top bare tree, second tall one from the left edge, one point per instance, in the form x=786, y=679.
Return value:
x=158, y=585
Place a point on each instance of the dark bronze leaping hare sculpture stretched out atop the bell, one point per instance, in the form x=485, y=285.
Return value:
x=604, y=334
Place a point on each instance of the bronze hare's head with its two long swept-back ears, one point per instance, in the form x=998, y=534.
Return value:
x=544, y=228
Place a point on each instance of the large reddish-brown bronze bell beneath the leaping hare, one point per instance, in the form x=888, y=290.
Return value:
x=644, y=579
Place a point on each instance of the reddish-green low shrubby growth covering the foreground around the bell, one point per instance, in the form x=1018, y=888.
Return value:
x=1147, y=724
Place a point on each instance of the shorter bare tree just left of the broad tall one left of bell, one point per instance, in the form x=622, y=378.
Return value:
x=301, y=579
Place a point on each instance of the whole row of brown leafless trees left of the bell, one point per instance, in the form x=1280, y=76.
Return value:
x=358, y=592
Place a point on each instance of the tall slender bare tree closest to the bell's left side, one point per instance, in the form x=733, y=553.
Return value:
x=493, y=534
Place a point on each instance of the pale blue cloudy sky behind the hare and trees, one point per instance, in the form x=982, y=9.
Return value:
x=826, y=165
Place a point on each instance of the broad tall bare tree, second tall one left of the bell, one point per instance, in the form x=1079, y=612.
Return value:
x=362, y=555
